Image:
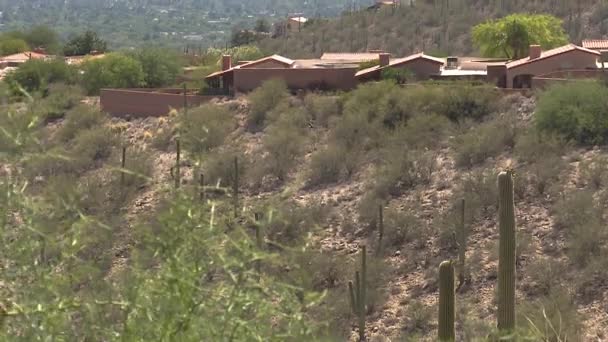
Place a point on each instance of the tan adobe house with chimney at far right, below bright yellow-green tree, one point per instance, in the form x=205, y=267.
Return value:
x=520, y=73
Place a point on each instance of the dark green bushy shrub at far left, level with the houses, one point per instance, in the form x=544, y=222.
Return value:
x=37, y=74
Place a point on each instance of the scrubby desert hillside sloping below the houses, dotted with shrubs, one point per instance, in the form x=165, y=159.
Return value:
x=313, y=172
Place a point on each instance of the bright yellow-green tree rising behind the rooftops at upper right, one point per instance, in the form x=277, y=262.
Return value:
x=511, y=36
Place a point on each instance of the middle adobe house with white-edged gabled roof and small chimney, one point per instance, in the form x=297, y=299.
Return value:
x=421, y=65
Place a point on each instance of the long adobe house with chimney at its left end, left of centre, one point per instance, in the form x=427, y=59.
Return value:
x=297, y=74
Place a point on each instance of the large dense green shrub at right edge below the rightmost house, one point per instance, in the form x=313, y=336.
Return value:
x=577, y=111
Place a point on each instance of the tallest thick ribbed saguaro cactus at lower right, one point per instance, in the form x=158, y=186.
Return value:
x=506, y=261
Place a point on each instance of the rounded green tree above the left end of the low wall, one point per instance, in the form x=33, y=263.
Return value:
x=115, y=70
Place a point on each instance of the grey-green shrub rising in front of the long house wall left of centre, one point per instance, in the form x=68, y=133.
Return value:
x=263, y=100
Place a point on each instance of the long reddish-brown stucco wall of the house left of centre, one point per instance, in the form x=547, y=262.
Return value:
x=339, y=79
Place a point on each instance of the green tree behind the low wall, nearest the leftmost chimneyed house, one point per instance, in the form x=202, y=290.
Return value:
x=160, y=66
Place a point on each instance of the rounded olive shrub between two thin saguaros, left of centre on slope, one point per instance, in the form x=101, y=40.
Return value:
x=218, y=167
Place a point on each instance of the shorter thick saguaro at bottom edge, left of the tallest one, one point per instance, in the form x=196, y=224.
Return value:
x=446, y=302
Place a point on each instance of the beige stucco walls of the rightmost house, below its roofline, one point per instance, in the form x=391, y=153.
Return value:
x=569, y=60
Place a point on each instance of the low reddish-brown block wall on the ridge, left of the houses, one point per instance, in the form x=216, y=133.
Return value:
x=145, y=102
